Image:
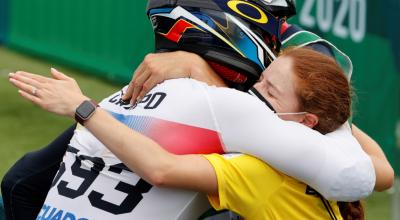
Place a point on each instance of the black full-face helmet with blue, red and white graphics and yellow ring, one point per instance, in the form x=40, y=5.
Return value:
x=238, y=38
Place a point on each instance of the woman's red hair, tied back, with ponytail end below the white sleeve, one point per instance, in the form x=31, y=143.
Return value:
x=324, y=90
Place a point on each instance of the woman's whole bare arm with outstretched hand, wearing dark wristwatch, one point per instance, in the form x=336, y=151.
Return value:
x=141, y=154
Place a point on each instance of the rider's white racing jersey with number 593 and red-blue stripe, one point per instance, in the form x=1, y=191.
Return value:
x=188, y=117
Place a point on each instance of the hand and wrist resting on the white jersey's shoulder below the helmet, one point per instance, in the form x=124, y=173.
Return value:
x=159, y=67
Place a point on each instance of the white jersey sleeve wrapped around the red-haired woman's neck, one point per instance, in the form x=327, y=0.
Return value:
x=333, y=164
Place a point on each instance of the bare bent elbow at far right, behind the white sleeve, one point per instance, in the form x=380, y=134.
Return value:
x=383, y=169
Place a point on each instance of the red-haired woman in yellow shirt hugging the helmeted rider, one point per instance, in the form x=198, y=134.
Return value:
x=301, y=86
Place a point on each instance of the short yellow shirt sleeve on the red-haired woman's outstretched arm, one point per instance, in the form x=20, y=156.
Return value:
x=244, y=182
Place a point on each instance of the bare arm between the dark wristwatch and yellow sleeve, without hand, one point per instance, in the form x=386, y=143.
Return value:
x=149, y=160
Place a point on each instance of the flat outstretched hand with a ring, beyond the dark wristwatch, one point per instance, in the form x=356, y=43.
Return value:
x=60, y=94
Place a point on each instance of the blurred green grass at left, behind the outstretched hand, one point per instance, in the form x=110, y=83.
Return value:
x=23, y=126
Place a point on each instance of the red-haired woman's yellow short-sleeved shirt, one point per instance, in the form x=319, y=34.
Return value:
x=254, y=190
